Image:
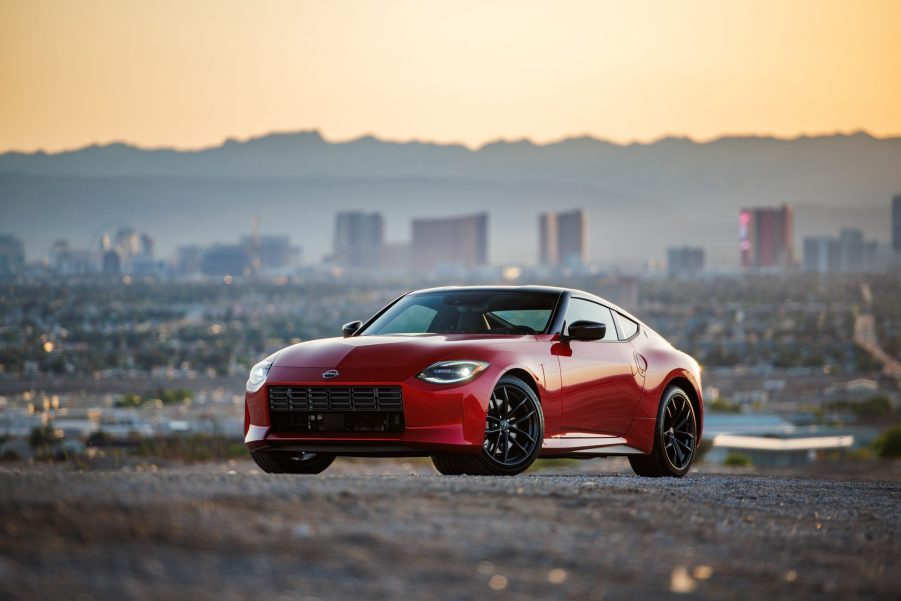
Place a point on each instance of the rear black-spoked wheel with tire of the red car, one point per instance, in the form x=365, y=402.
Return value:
x=675, y=438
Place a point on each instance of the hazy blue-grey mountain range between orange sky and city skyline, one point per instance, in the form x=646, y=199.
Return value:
x=639, y=198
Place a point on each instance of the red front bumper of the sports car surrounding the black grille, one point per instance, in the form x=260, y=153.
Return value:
x=436, y=418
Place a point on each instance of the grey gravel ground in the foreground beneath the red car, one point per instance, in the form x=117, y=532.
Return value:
x=385, y=530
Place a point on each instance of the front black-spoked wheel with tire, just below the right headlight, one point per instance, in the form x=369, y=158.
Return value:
x=514, y=431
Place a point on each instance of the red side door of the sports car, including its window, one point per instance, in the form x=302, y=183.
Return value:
x=601, y=383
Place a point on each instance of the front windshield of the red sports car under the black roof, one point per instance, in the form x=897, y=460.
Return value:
x=467, y=312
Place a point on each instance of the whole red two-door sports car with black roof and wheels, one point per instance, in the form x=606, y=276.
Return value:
x=484, y=380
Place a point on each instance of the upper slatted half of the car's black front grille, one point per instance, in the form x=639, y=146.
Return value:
x=335, y=398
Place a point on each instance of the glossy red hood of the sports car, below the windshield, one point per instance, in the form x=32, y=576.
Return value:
x=391, y=357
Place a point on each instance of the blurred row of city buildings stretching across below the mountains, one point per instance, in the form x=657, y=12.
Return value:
x=448, y=245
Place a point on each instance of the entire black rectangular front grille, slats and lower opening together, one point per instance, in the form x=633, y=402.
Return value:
x=336, y=408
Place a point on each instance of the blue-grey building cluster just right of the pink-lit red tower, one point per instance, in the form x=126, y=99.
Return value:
x=849, y=253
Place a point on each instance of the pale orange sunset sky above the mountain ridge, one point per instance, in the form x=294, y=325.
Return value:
x=191, y=73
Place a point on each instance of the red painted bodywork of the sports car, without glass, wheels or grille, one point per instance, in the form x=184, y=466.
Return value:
x=605, y=392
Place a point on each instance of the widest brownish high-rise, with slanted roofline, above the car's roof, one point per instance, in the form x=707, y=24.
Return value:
x=450, y=242
